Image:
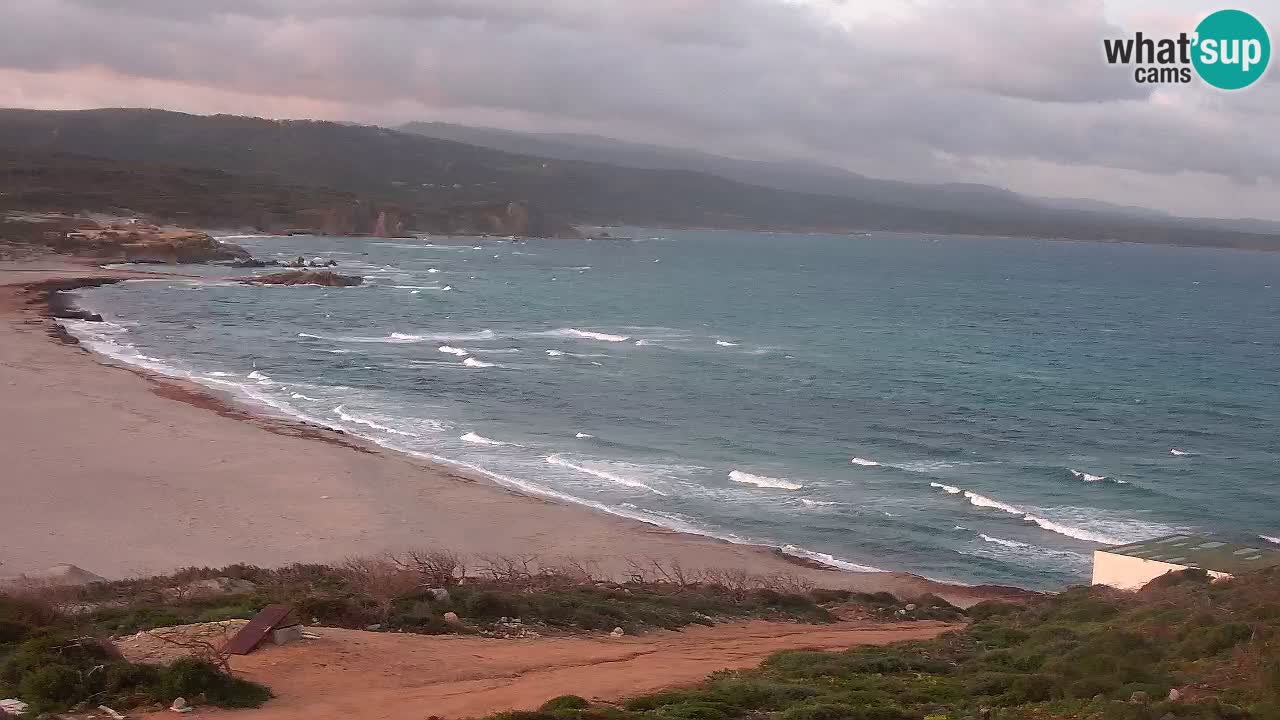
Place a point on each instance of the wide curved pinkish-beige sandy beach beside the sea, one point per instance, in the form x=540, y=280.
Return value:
x=118, y=479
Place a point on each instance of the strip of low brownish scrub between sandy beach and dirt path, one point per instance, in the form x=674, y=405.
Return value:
x=417, y=593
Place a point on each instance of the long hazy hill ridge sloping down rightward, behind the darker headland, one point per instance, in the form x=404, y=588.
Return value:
x=428, y=176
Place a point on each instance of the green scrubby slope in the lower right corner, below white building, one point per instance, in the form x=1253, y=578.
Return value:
x=1183, y=648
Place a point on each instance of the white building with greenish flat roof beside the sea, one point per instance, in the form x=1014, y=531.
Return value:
x=1130, y=567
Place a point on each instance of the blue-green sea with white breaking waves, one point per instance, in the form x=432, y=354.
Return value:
x=975, y=411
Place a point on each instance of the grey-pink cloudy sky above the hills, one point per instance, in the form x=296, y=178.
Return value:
x=1011, y=93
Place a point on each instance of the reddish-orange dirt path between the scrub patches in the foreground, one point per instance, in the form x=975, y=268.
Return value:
x=356, y=676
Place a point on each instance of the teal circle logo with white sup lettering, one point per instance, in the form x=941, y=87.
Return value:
x=1232, y=49
